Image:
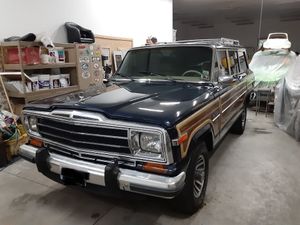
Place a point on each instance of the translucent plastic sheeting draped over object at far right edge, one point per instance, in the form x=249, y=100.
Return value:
x=287, y=101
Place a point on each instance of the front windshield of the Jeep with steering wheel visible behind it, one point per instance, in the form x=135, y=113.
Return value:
x=173, y=63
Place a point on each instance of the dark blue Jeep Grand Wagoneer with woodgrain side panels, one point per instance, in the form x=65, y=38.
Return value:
x=151, y=128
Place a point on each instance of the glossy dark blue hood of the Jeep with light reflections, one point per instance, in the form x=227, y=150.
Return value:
x=161, y=103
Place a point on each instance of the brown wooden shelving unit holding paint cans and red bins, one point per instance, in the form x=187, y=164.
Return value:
x=69, y=67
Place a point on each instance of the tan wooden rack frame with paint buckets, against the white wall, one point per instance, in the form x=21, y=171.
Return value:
x=70, y=67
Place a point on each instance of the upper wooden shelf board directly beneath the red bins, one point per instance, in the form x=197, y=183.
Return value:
x=38, y=66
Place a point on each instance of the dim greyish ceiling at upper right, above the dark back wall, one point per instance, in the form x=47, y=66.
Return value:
x=207, y=13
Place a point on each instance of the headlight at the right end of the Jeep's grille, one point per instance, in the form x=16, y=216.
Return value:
x=151, y=142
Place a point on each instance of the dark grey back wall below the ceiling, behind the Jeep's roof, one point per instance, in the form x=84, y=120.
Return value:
x=247, y=34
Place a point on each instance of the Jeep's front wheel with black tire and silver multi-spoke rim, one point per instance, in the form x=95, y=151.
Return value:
x=192, y=196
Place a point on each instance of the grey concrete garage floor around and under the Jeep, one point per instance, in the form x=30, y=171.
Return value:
x=254, y=179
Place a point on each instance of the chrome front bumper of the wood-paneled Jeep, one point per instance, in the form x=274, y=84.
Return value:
x=52, y=166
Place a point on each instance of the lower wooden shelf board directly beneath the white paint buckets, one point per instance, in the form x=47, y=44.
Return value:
x=41, y=94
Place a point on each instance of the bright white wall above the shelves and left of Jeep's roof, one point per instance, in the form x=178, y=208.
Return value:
x=135, y=19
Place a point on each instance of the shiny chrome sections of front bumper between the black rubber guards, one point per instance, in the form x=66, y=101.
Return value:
x=128, y=180
